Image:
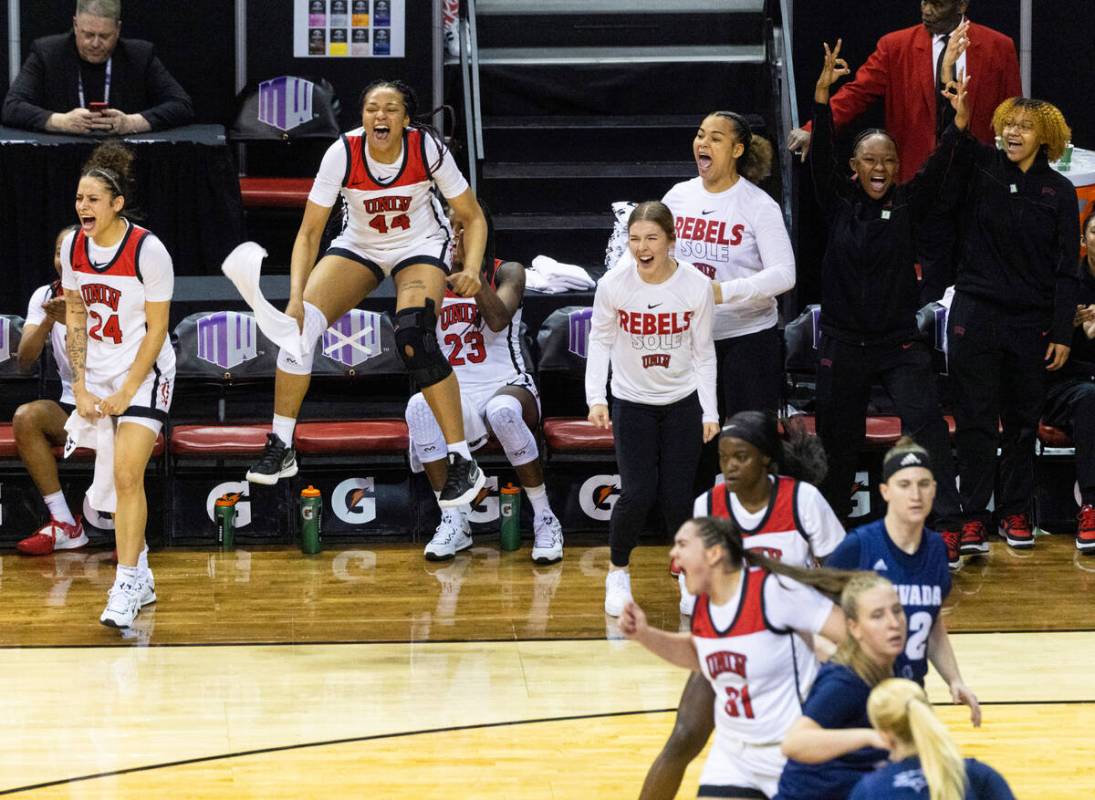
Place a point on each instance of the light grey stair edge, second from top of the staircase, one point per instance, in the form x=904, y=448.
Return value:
x=651, y=54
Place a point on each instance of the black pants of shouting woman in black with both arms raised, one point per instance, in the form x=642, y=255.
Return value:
x=846, y=374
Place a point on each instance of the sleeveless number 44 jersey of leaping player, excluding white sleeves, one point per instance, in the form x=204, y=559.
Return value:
x=394, y=214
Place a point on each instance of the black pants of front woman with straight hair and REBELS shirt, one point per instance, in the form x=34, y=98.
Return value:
x=658, y=451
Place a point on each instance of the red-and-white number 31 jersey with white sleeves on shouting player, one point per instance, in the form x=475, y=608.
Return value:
x=747, y=651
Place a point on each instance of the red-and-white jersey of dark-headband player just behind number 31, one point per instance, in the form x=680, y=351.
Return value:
x=798, y=527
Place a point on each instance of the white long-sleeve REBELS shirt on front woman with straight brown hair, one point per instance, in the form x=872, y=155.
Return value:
x=658, y=338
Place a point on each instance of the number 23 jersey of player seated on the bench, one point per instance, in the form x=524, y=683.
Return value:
x=480, y=357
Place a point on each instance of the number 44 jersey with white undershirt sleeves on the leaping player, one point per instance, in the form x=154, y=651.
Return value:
x=389, y=207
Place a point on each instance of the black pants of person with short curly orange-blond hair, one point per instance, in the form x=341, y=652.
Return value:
x=998, y=370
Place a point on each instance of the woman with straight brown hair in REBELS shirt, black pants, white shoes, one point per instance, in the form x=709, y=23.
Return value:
x=652, y=323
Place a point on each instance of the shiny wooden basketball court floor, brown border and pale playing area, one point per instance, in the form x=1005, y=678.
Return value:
x=372, y=674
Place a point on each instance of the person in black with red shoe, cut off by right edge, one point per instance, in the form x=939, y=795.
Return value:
x=1070, y=402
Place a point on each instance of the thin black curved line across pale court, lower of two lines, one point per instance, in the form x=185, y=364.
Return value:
x=425, y=732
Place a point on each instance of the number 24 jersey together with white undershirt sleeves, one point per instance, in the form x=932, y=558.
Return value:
x=116, y=284
